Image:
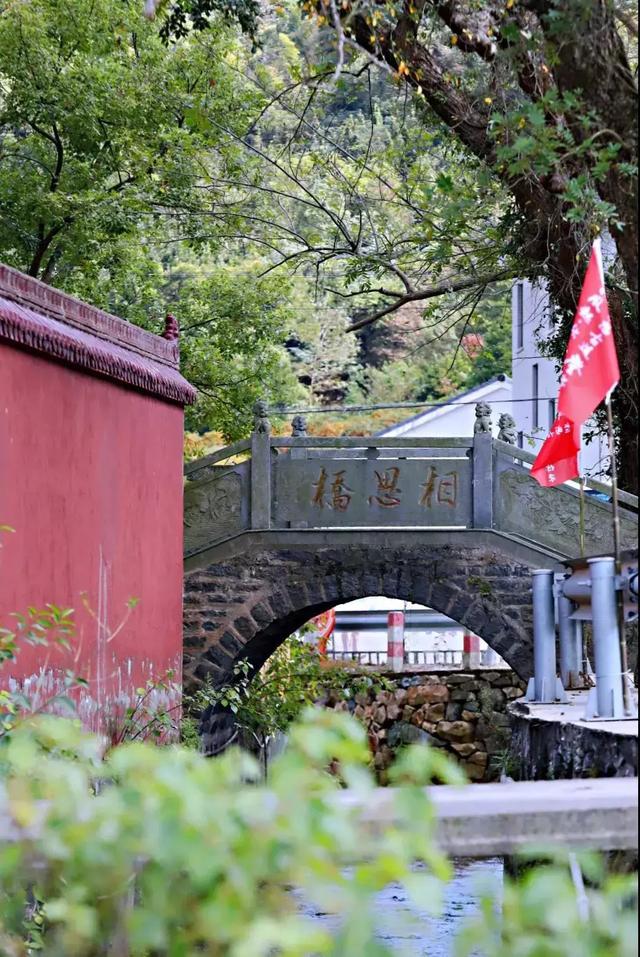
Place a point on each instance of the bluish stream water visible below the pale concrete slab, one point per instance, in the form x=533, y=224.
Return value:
x=407, y=932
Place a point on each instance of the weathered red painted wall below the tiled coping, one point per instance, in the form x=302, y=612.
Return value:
x=91, y=481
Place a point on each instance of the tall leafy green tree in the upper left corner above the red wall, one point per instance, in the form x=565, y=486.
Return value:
x=94, y=133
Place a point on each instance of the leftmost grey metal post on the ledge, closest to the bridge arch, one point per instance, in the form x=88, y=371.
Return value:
x=544, y=687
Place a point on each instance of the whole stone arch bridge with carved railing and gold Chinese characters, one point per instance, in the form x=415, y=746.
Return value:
x=278, y=529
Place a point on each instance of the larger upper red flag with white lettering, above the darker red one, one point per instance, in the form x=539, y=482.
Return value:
x=590, y=368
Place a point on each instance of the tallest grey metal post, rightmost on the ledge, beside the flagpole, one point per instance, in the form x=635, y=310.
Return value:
x=609, y=699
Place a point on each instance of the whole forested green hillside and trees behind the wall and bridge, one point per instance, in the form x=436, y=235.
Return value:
x=266, y=212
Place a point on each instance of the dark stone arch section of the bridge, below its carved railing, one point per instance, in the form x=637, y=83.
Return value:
x=245, y=607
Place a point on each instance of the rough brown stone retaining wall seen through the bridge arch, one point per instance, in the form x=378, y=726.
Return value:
x=464, y=713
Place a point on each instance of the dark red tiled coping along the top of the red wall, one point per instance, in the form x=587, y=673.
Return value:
x=38, y=317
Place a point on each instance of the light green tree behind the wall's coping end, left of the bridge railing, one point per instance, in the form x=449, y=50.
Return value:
x=233, y=322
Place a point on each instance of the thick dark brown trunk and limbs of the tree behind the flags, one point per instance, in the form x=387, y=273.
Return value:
x=588, y=59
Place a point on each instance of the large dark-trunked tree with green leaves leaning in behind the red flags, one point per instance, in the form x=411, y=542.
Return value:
x=543, y=93
